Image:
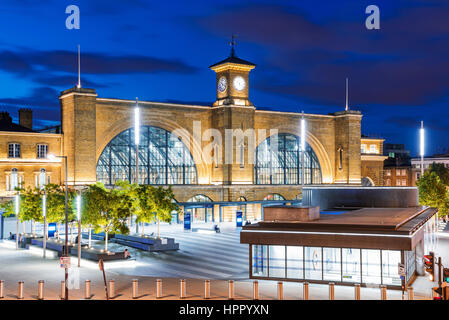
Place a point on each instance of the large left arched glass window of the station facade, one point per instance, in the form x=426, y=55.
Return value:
x=163, y=159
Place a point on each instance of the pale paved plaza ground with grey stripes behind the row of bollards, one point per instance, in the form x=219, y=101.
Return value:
x=201, y=256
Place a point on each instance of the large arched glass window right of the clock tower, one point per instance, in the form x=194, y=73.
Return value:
x=278, y=161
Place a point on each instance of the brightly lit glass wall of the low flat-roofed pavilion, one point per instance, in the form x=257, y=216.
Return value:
x=350, y=265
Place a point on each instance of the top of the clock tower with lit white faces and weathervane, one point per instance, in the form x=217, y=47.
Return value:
x=232, y=80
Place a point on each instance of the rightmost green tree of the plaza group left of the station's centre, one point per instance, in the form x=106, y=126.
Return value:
x=163, y=204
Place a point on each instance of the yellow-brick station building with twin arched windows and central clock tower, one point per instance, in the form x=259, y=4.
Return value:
x=187, y=146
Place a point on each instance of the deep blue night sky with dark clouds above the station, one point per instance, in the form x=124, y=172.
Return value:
x=304, y=50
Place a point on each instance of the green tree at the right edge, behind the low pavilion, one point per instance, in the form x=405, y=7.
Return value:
x=434, y=188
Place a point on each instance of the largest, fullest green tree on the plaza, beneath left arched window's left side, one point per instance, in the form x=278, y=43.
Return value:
x=107, y=210
